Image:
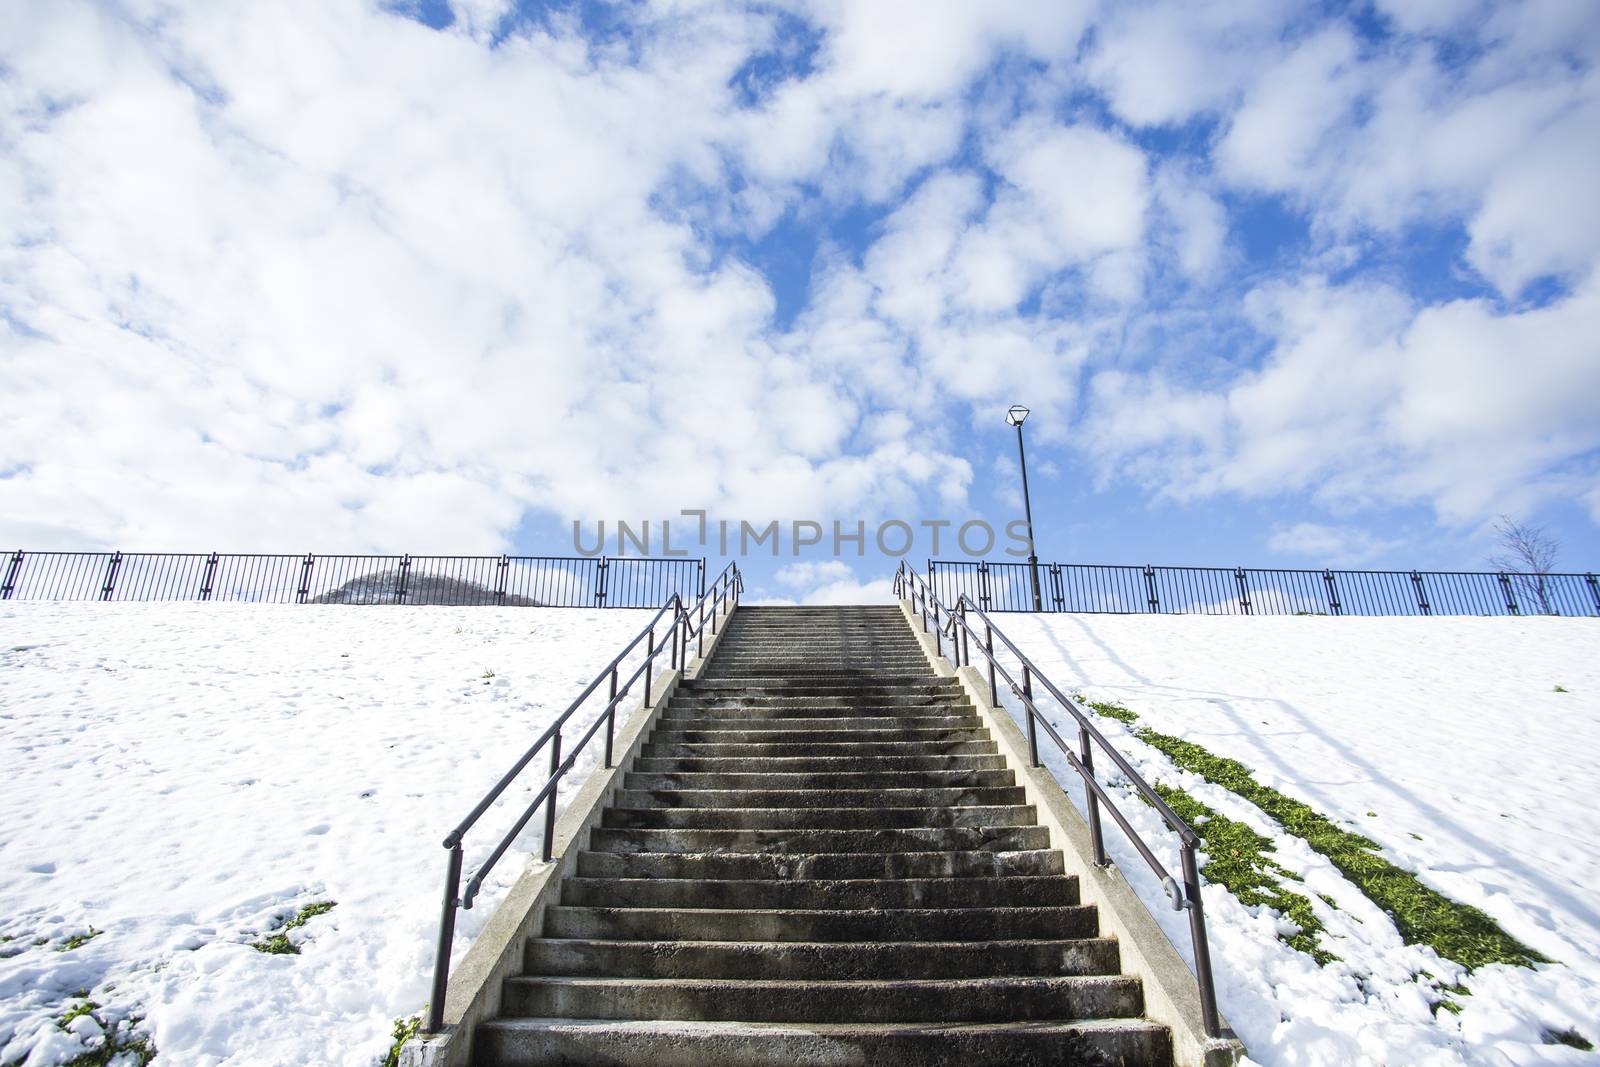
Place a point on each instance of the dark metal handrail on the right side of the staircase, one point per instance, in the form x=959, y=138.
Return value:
x=911, y=586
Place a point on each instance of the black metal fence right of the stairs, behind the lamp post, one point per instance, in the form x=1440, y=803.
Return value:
x=1252, y=591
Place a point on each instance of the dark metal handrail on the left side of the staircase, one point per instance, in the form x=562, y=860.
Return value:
x=726, y=588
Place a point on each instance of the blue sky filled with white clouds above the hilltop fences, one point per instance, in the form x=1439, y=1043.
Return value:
x=1286, y=286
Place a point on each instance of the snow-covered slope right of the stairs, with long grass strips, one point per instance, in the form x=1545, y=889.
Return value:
x=1442, y=740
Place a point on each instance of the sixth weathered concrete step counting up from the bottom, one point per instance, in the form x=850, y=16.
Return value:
x=828, y=866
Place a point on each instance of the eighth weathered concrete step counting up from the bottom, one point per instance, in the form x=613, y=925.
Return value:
x=818, y=818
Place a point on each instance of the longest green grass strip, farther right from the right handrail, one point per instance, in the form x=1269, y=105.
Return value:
x=1423, y=916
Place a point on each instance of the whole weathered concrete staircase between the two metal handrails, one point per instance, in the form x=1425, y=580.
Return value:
x=820, y=858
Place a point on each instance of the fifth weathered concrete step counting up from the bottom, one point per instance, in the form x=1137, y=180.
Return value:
x=822, y=895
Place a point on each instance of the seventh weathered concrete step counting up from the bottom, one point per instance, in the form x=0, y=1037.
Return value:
x=954, y=839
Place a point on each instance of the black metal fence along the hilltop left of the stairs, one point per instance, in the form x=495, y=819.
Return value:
x=545, y=581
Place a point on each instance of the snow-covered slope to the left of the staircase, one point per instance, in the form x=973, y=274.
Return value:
x=186, y=777
